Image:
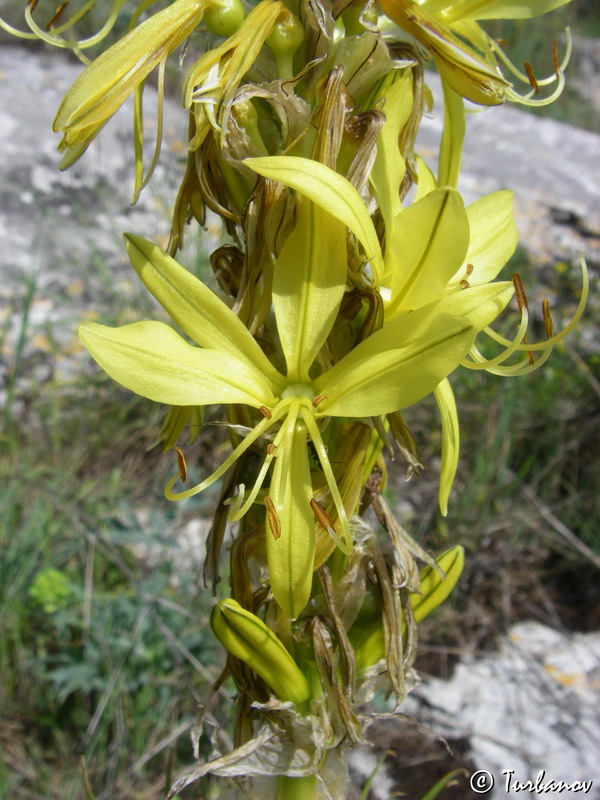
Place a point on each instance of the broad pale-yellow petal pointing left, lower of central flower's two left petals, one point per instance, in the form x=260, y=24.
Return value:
x=152, y=360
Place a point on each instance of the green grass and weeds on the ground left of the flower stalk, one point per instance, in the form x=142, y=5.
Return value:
x=104, y=639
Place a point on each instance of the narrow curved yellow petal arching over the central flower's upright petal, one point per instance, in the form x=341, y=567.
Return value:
x=331, y=192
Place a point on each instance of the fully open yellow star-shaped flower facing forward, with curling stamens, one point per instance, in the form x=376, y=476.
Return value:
x=393, y=368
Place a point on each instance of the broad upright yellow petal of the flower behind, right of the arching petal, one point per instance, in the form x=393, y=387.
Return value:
x=428, y=243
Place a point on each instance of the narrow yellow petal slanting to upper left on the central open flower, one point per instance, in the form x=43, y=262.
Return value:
x=197, y=310
